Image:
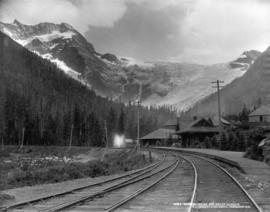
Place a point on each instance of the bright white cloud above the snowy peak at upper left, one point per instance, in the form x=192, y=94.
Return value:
x=79, y=13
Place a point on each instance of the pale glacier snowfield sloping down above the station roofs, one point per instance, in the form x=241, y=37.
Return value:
x=193, y=86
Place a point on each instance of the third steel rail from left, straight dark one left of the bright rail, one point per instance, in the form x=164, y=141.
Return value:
x=140, y=191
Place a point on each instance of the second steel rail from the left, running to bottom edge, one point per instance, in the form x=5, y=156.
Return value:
x=104, y=191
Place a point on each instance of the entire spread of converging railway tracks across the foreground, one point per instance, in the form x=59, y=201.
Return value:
x=204, y=186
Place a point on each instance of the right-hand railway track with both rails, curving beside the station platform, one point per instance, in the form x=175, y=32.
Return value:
x=215, y=189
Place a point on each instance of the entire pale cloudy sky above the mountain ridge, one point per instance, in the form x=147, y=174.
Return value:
x=199, y=31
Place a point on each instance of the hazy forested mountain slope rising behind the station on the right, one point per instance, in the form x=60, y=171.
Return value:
x=252, y=89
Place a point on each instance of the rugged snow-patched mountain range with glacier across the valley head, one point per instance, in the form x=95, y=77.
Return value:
x=178, y=84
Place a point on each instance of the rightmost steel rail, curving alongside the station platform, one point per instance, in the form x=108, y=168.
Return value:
x=234, y=180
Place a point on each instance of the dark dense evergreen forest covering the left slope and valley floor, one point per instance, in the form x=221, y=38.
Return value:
x=40, y=105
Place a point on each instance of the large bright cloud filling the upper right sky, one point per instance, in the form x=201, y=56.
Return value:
x=218, y=30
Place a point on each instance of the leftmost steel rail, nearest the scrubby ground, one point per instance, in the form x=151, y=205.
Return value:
x=142, y=171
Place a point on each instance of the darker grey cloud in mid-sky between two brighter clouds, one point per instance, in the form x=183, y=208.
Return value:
x=144, y=32
